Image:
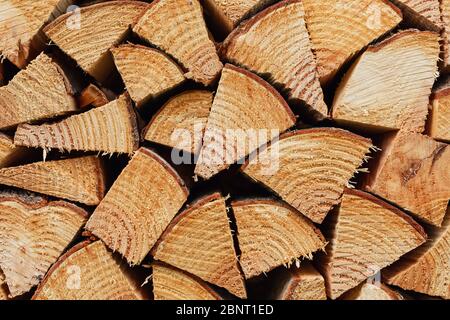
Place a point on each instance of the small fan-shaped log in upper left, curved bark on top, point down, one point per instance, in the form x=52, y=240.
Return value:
x=147, y=72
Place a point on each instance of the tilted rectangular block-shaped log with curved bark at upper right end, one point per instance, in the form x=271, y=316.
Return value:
x=139, y=206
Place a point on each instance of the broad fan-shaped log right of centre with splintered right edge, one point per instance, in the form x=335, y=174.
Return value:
x=310, y=168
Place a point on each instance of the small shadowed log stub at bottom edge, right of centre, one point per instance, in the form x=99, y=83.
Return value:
x=304, y=283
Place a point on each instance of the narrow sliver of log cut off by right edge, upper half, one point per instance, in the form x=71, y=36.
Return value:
x=439, y=122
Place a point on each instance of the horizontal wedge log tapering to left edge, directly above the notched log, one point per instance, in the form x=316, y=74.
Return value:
x=77, y=179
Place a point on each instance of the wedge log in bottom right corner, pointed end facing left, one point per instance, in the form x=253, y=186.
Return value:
x=426, y=269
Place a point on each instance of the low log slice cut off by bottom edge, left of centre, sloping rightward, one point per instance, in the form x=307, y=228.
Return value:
x=170, y=283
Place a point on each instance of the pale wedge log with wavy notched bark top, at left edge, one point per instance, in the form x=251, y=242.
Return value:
x=34, y=234
